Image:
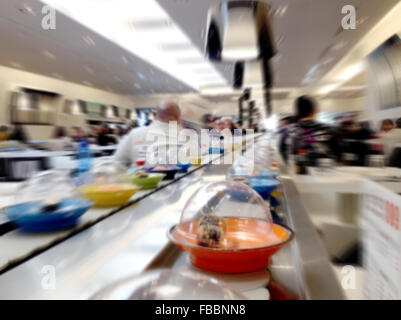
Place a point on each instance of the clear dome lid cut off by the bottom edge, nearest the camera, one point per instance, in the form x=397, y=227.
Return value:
x=168, y=285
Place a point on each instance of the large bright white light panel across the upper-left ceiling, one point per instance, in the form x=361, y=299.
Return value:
x=144, y=29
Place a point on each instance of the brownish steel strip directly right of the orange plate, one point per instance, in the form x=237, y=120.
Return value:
x=304, y=265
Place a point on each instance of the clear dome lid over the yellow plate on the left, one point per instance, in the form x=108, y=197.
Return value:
x=104, y=173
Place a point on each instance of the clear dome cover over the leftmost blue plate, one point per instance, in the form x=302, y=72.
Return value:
x=50, y=186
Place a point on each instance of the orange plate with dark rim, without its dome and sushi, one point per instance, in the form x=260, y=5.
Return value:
x=252, y=250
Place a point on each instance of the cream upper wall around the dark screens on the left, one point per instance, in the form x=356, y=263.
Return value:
x=12, y=79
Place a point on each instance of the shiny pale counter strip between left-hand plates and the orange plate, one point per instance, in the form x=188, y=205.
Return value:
x=119, y=246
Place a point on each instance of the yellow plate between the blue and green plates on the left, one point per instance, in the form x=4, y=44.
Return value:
x=108, y=198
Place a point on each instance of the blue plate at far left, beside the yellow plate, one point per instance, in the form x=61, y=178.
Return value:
x=31, y=217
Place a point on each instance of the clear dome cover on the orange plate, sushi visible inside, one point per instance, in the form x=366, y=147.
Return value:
x=226, y=215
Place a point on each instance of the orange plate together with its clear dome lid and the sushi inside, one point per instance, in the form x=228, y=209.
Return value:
x=227, y=227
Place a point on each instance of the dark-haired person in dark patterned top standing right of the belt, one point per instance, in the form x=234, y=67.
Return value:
x=308, y=135
